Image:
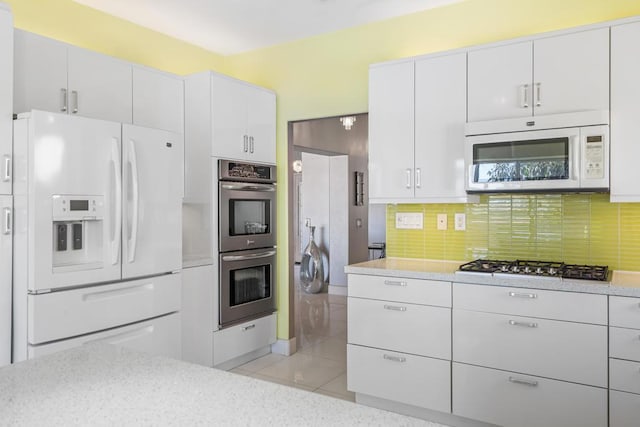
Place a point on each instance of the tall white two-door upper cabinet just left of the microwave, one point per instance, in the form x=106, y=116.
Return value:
x=417, y=112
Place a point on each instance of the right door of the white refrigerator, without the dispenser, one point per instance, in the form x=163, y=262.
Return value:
x=152, y=201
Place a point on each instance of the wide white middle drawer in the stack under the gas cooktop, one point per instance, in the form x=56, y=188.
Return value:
x=562, y=350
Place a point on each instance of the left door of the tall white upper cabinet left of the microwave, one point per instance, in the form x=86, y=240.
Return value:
x=391, y=115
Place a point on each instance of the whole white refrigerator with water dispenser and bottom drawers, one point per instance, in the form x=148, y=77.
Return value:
x=97, y=244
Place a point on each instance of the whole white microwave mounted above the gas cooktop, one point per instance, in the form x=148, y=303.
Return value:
x=563, y=152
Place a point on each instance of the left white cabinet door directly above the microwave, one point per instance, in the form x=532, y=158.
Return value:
x=500, y=80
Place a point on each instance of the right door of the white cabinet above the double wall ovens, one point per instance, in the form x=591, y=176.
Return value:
x=261, y=124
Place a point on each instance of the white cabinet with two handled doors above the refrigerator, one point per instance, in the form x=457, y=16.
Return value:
x=53, y=76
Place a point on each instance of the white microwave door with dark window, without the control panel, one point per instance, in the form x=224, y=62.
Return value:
x=523, y=161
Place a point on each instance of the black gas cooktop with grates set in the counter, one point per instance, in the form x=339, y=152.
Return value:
x=538, y=269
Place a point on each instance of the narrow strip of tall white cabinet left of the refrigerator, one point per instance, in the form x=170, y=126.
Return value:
x=6, y=200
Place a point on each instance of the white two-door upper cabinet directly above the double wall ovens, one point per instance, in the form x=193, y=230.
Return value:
x=243, y=120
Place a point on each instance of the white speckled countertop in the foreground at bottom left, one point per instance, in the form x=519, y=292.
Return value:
x=101, y=384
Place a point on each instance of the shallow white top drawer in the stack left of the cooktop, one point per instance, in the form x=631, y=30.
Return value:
x=413, y=291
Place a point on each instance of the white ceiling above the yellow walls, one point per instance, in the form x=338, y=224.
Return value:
x=234, y=26
